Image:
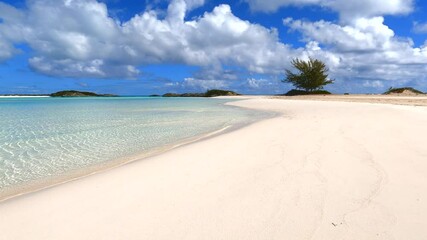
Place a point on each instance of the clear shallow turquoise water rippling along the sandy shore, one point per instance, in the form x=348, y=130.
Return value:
x=50, y=138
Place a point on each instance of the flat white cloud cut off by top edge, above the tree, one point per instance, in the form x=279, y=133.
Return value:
x=347, y=9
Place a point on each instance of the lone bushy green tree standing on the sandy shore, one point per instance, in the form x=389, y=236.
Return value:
x=312, y=75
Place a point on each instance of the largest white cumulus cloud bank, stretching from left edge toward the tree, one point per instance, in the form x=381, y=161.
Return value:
x=89, y=43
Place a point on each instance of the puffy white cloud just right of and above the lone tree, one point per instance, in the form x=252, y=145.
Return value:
x=366, y=49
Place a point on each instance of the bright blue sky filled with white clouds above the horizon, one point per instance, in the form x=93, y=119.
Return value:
x=143, y=47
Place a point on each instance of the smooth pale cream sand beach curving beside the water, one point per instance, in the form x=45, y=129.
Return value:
x=321, y=170
